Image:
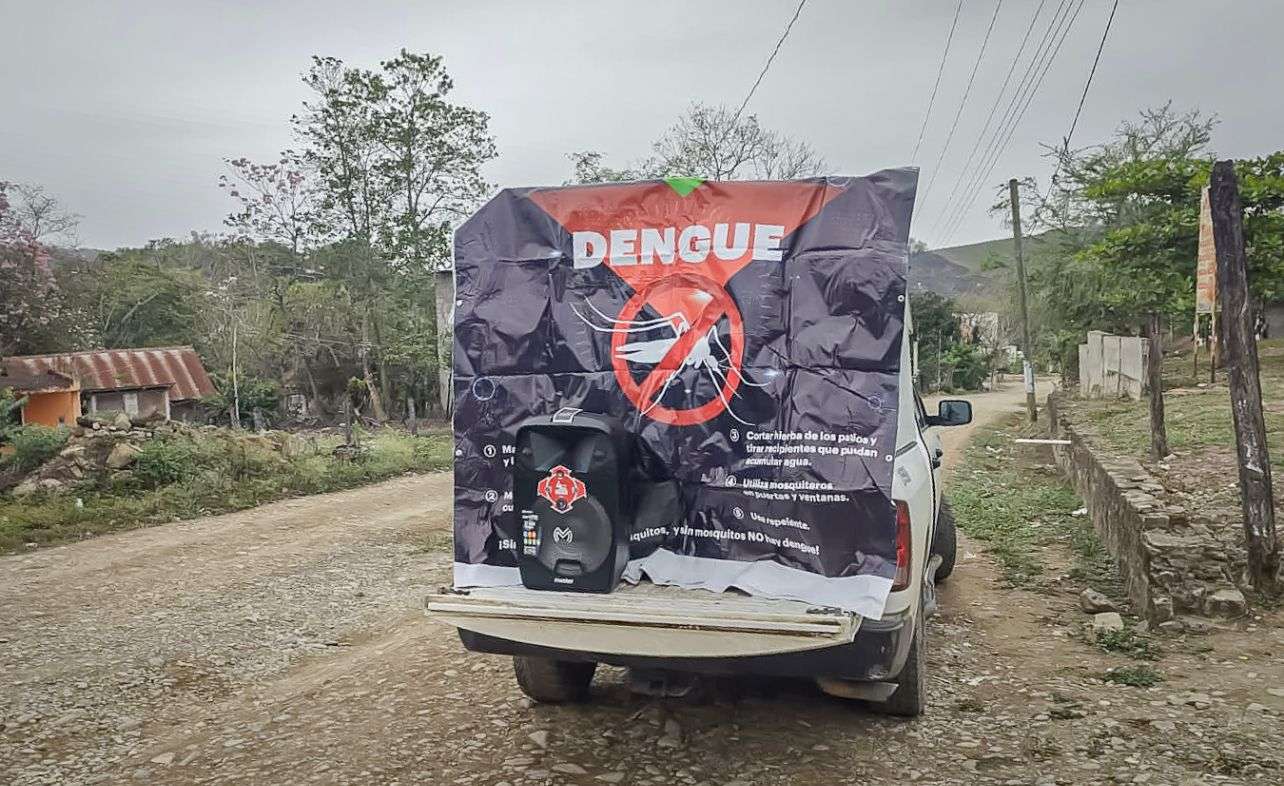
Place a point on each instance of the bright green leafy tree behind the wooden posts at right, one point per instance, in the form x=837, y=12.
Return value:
x=1122, y=228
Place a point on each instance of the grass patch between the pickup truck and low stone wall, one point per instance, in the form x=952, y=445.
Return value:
x=1002, y=496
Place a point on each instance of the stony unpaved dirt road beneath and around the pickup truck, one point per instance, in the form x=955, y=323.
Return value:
x=286, y=645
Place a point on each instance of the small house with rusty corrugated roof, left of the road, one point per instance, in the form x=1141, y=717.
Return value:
x=166, y=382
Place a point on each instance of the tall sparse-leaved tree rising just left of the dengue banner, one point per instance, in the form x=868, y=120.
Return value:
x=399, y=165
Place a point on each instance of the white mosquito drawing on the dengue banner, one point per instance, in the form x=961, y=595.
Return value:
x=652, y=351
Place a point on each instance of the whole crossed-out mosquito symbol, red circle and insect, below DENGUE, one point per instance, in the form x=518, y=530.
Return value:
x=689, y=341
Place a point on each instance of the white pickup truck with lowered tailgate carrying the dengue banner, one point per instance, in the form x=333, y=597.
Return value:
x=558, y=639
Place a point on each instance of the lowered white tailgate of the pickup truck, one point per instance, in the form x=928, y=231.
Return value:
x=646, y=620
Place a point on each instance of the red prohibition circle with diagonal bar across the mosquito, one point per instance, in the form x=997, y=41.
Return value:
x=643, y=395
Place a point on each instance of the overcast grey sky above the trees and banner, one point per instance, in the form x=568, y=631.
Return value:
x=126, y=110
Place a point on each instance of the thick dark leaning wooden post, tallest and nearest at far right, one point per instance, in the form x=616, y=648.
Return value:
x=1238, y=351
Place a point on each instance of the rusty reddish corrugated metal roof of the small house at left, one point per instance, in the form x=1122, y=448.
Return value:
x=175, y=368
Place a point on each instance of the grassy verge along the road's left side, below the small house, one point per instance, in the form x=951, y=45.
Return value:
x=205, y=473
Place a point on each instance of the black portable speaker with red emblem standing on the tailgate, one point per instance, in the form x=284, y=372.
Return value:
x=572, y=499
